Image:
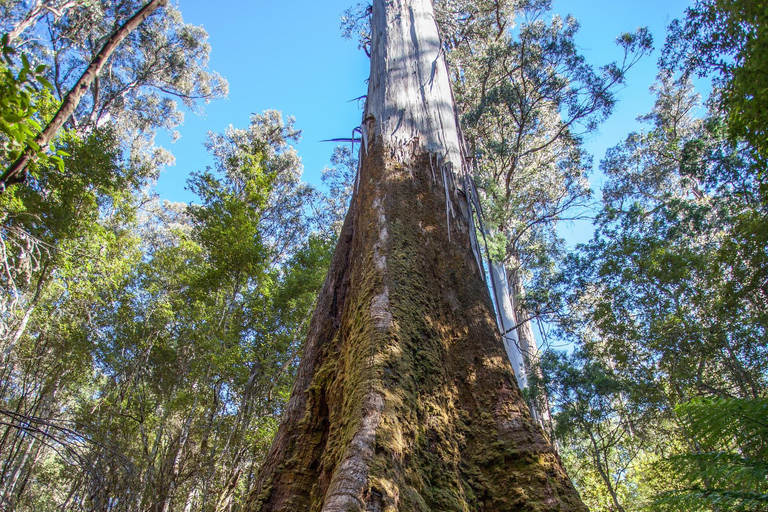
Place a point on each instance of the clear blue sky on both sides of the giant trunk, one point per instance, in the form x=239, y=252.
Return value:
x=291, y=57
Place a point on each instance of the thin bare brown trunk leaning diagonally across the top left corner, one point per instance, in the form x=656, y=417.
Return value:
x=15, y=173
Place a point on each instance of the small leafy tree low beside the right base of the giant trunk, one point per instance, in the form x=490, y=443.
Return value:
x=602, y=429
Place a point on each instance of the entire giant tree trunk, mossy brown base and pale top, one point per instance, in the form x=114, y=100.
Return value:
x=404, y=399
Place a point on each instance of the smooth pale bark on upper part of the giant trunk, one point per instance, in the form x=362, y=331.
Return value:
x=409, y=93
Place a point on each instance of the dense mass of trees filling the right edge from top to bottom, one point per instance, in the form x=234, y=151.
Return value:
x=662, y=402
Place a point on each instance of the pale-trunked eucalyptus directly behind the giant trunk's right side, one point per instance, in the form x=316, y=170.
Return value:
x=526, y=98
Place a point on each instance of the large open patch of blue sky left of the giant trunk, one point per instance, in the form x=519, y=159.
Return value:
x=285, y=56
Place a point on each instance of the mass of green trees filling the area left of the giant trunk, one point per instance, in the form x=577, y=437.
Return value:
x=153, y=345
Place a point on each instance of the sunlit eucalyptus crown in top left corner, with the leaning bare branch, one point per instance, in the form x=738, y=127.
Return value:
x=116, y=62
